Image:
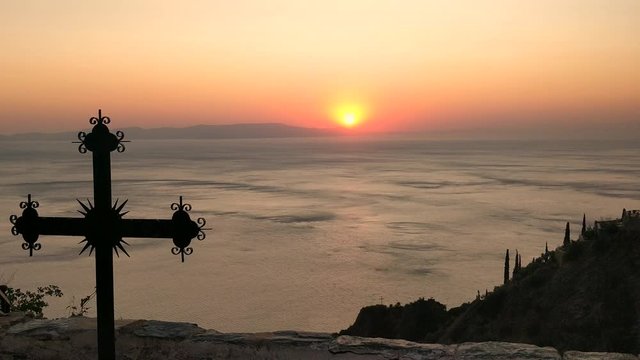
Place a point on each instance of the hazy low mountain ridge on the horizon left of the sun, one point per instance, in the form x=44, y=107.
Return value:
x=233, y=131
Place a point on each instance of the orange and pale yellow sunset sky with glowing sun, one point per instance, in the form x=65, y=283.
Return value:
x=371, y=65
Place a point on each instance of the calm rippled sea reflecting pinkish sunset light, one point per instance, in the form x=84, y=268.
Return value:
x=307, y=231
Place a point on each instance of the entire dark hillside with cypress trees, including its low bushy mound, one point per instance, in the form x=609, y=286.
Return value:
x=584, y=295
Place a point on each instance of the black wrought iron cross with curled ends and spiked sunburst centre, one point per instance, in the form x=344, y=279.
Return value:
x=104, y=227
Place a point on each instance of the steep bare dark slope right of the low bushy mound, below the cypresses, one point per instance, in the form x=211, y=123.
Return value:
x=586, y=296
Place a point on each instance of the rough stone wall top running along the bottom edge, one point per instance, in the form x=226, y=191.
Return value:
x=75, y=338
